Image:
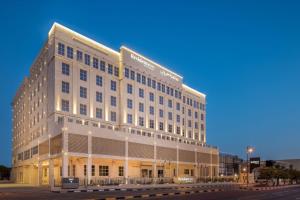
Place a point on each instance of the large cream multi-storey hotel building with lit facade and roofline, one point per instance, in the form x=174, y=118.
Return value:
x=91, y=112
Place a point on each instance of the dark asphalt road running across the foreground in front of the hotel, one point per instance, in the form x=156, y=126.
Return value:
x=229, y=194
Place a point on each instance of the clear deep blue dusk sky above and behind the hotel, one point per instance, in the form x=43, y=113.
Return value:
x=244, y=55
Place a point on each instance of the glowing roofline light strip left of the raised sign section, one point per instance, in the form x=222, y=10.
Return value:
x=81, y=37
